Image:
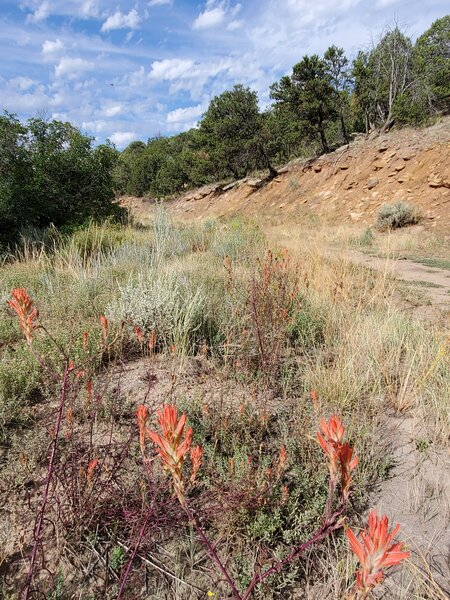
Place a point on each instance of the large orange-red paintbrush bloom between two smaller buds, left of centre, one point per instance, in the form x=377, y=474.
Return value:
x=171, y=447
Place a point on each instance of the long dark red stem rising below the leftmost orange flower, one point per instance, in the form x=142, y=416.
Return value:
x=40, y=516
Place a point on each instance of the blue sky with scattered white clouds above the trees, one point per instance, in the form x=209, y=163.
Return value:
x=132, y=69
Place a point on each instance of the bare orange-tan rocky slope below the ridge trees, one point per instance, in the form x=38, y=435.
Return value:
x=348, y=185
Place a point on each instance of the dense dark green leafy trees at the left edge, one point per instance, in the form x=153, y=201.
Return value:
x=50, y=173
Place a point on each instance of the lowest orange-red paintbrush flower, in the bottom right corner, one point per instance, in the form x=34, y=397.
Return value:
x=375, y=551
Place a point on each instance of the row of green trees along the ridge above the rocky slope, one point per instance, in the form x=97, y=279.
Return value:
x=317, y=107
